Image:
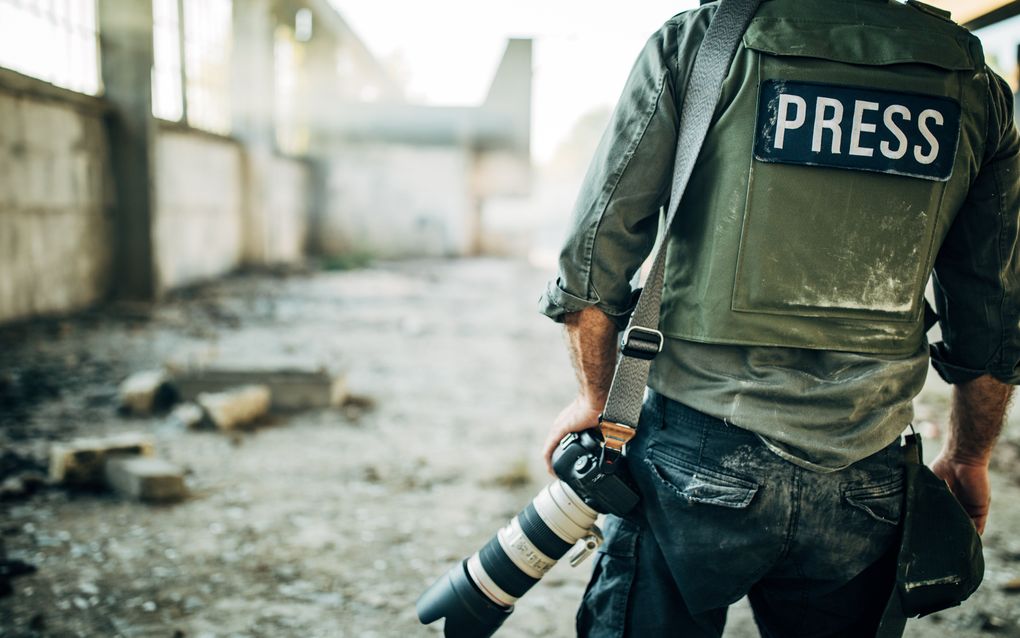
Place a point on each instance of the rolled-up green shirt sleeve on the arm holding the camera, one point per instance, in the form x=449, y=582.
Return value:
x=617, y=215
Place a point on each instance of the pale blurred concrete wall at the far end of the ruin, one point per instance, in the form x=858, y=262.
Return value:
x=397, y=201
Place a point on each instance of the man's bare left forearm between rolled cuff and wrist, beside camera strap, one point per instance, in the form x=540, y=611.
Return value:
x=592, y=342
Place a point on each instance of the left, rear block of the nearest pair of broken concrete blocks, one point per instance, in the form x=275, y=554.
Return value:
x=80, y=463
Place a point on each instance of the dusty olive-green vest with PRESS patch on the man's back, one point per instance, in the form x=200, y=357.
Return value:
x=841, y=153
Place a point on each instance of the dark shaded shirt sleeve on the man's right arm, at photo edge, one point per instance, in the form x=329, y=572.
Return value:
x=978, y=271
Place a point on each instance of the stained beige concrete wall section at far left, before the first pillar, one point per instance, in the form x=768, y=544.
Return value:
x=56, y=231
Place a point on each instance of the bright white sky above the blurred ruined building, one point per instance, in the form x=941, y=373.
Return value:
x=450, y=50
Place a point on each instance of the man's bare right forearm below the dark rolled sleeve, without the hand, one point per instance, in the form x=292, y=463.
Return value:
x=977, y=419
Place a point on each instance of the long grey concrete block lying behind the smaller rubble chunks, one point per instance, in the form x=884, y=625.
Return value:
x=292, y=388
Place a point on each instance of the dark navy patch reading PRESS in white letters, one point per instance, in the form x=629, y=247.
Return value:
x=822, y=125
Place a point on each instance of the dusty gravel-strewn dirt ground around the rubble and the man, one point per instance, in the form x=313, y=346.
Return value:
x=330, y=523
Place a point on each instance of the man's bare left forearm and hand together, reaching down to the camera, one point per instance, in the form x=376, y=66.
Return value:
x=592, y=342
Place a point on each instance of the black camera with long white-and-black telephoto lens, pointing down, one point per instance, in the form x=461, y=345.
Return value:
x=479, y=595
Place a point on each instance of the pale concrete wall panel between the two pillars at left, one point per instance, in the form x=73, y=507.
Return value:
x=198, y=232
